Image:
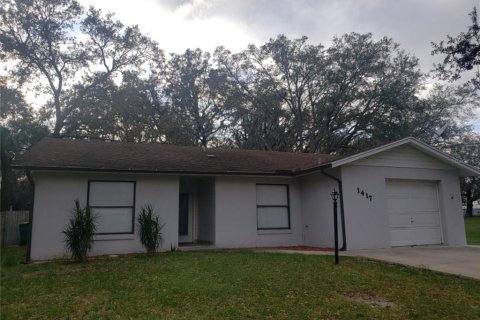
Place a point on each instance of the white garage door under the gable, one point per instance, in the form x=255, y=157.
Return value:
x=413, y=213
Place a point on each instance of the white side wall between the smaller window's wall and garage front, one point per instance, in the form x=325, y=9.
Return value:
x=317, y=209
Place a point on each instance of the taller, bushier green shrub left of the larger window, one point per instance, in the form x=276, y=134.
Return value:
x=79, y=232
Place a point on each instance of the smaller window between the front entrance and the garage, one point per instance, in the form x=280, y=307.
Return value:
x=273, y=211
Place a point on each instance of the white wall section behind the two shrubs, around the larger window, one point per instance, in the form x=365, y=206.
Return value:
x=55, y=193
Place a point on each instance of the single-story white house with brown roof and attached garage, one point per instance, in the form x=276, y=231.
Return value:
x=400, y=194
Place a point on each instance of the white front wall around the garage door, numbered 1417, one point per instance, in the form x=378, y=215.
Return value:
x=367, y=222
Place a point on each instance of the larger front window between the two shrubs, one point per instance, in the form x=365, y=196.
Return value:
x=114, y=204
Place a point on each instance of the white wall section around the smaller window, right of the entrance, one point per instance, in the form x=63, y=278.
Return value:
x=236, y=214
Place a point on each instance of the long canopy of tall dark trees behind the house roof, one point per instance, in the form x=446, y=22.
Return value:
x=103, y=79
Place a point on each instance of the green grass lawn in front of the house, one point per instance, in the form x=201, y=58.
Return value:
x=232, y=284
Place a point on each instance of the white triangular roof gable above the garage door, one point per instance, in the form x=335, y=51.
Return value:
x=408, y=152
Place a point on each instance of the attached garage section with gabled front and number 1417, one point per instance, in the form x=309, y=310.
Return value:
x=404, y=193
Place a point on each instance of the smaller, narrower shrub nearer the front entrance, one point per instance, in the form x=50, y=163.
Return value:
x=150, y=229
